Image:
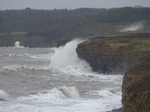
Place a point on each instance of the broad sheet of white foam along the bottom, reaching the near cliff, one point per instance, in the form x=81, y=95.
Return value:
x=65, y=103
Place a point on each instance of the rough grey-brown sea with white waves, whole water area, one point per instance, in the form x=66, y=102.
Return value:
x=54, y=80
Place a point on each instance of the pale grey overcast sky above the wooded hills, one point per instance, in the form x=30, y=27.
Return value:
x=69, y=4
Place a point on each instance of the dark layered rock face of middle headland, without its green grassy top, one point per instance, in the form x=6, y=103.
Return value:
x=109, y=58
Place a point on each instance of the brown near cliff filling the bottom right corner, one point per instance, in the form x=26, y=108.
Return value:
x=136, y=87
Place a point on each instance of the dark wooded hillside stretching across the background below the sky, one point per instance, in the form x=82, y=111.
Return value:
x=41, y=28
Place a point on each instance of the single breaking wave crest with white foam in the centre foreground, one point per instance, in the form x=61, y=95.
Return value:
x=55, y=93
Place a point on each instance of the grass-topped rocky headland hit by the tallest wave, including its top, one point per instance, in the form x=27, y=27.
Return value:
x=113, y=55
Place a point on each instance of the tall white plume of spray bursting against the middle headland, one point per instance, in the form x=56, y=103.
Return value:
x=66, y=56
